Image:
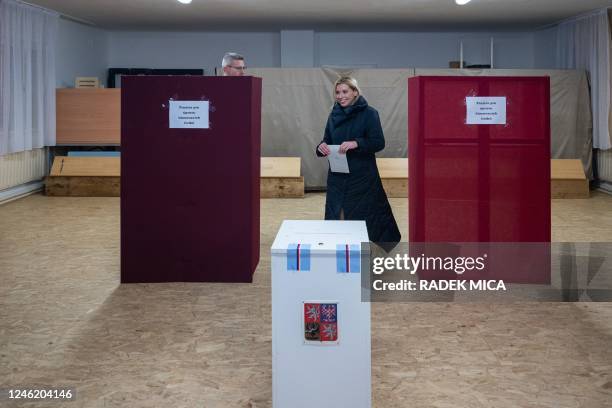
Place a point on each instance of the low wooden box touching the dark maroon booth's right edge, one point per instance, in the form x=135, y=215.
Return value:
x=280, y=178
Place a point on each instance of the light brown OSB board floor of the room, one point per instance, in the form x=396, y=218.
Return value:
x=66, y=321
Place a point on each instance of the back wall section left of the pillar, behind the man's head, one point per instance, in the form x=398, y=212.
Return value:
x=132, y=49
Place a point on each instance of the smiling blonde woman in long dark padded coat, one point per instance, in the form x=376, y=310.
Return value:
x=358, y=195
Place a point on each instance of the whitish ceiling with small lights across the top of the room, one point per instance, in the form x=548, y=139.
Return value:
x=240, y=15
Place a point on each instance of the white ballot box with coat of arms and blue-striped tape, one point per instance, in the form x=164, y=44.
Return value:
x=321, y=353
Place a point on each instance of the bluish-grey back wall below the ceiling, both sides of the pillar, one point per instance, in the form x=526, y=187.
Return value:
x=129, y=49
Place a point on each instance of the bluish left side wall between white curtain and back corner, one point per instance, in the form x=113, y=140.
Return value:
x=81, y=51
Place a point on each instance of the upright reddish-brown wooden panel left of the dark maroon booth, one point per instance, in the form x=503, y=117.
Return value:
x=88, y=116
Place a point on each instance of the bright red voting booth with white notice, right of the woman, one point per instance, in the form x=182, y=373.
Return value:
x=479, y=167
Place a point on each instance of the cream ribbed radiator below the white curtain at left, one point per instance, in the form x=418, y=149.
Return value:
x=23, y=167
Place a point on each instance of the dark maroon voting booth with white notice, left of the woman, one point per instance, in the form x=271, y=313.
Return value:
x=190, y=167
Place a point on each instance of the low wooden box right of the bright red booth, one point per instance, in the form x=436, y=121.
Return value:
x=567, y=179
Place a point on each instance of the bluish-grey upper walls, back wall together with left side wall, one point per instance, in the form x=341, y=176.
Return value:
x=87, y=51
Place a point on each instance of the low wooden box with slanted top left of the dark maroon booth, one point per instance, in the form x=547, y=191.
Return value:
x=84, y=177
